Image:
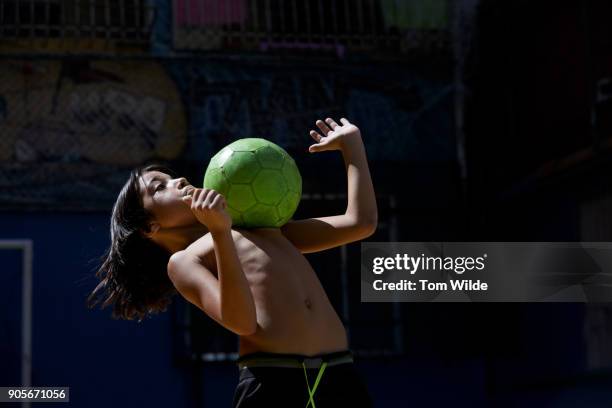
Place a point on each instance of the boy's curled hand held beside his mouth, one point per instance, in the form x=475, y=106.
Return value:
x=209, y=208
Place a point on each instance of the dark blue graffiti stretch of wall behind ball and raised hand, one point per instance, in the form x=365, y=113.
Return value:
x=403, y=116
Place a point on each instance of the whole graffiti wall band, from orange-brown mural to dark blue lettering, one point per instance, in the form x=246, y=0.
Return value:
x=72, y=129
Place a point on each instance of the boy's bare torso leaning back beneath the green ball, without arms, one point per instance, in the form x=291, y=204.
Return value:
x=294, y=314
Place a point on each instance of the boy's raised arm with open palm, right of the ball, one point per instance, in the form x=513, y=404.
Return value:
x=361, y=216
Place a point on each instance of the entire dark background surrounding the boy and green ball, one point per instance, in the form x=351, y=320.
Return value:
x=483, y=120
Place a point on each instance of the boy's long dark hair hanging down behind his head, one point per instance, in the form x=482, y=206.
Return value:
x=133, y=275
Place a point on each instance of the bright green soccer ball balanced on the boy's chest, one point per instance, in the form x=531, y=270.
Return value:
x=259, y=180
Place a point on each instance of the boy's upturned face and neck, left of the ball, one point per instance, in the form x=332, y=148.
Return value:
x=161, y=195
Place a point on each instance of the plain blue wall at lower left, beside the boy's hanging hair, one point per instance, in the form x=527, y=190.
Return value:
x=103, y=361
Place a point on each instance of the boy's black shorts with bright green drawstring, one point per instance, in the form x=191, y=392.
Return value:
x=339, y=385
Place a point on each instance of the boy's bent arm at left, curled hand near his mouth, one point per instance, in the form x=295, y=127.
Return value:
x=228, y=299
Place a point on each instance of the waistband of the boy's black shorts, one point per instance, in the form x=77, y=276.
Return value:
x=265, y=359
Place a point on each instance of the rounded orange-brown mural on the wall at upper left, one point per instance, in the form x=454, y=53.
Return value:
x=70, y=127
